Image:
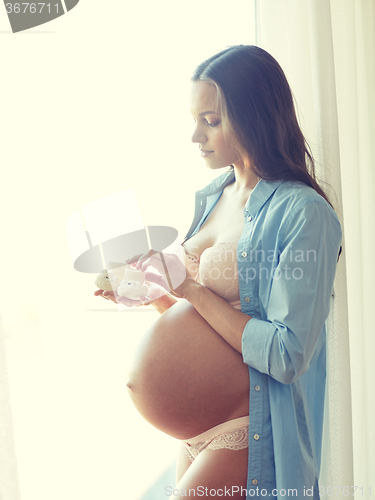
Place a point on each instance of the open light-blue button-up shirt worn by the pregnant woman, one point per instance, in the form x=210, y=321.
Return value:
x=286, y=259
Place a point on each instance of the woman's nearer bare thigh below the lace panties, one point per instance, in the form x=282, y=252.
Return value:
x=222, y=471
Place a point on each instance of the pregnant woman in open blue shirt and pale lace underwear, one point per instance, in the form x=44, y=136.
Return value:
x=235, y=365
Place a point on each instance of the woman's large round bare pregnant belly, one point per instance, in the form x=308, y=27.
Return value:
x=185, y=378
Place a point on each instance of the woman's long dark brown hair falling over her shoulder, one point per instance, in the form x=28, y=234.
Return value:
x=258, y=113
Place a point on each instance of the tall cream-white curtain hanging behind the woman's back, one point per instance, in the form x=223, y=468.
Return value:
x=327, y=50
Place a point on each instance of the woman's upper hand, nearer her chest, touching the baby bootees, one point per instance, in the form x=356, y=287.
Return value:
x=174, y=276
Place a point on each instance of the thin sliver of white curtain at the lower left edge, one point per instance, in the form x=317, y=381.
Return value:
x=9, y=484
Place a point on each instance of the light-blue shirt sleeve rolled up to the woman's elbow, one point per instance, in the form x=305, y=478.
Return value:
x=296, y=296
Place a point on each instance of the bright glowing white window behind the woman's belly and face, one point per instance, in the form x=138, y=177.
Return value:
x=95, y=103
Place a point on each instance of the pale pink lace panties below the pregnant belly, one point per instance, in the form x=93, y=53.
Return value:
x=232, y=435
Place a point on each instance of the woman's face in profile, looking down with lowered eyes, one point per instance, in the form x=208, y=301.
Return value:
x=208, y=131
